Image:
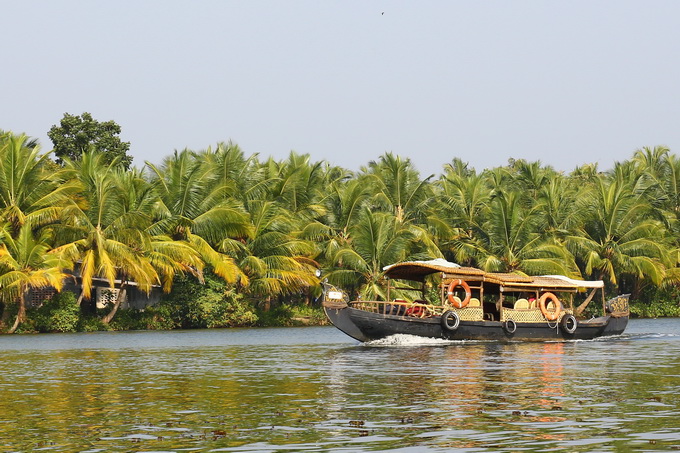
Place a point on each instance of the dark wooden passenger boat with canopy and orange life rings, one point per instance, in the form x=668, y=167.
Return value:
x=476, y=305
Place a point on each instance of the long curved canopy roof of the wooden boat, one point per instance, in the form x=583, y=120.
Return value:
x=418, y=270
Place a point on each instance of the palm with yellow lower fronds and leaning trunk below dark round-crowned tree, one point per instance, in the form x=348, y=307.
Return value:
x=104, y=231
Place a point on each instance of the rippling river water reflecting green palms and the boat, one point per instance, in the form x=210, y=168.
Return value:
x=315, y=389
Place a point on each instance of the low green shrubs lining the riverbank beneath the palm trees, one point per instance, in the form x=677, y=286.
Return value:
x=192, y=305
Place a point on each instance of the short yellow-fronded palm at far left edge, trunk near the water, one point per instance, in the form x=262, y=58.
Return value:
x=26, y=262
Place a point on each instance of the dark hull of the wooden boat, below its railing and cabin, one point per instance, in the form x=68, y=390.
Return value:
x=365, y=326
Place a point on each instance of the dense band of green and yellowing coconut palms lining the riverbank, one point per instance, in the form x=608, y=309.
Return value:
x=263, y=227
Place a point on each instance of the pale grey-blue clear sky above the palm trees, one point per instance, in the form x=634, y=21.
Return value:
x=563, y=82
